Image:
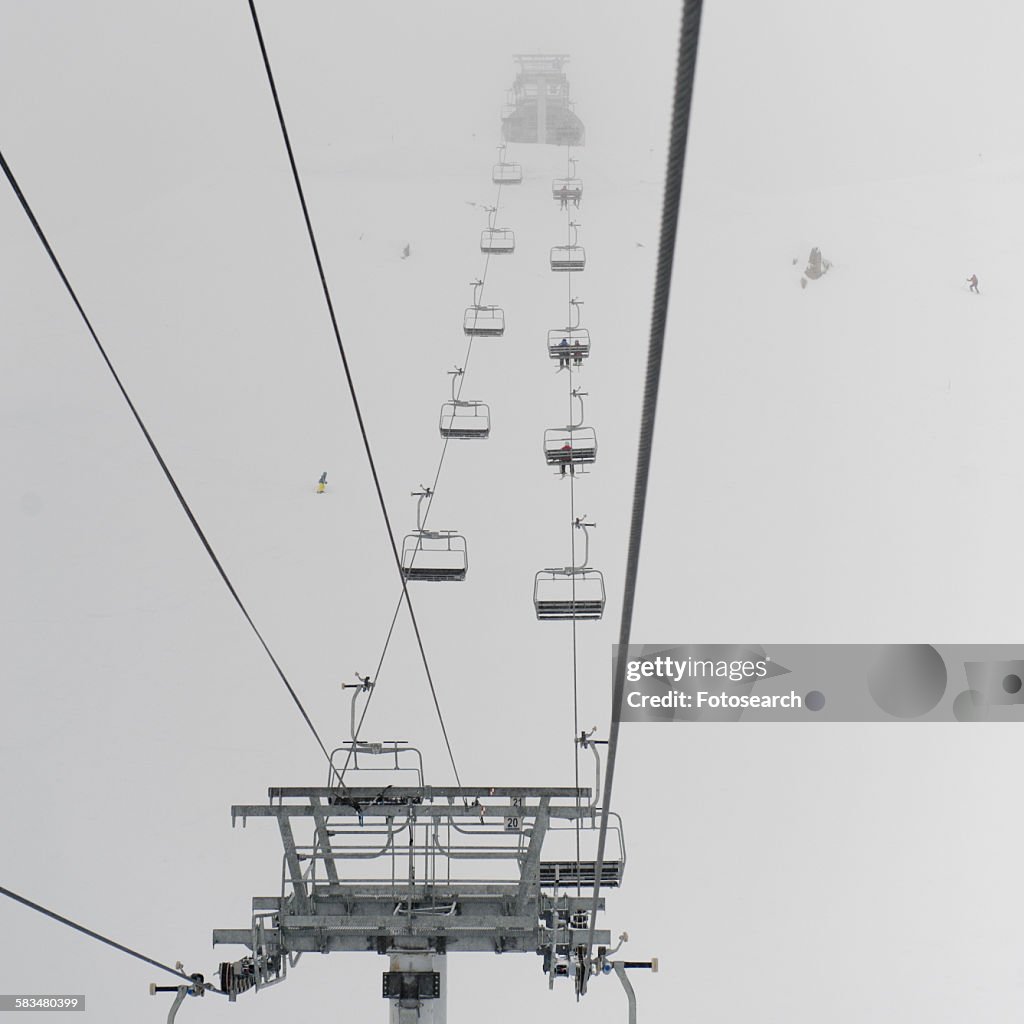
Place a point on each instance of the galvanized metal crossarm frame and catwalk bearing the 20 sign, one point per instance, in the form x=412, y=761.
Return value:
x=428, y=869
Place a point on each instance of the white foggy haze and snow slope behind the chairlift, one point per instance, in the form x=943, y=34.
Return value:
x=836, y=464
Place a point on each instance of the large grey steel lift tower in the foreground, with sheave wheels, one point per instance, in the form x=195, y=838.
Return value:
x=417, y=873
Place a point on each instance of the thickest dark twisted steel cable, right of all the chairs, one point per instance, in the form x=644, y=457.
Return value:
x=686, y=72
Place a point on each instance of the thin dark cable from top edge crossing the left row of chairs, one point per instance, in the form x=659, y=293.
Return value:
x=352, y=385
